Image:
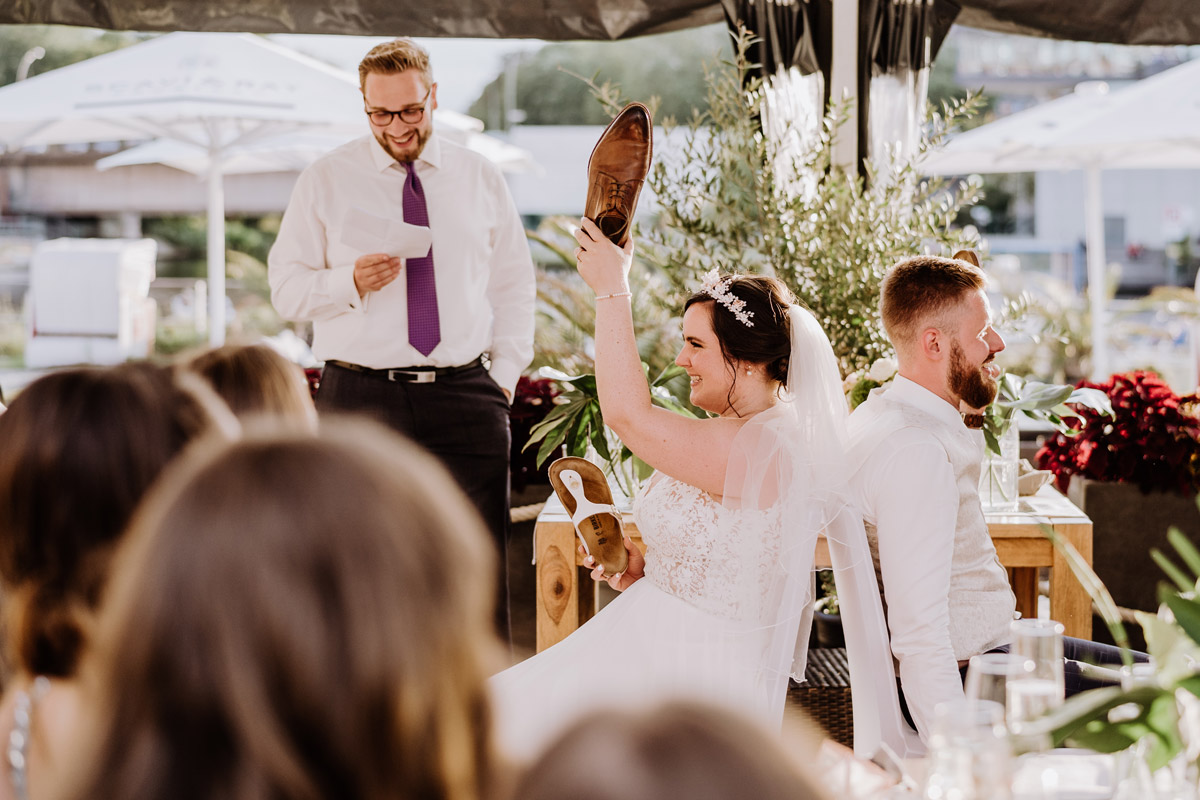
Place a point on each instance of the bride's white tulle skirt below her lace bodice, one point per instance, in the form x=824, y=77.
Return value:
x=644, y=648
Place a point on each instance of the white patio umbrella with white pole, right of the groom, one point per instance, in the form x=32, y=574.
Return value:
x=1154, y=124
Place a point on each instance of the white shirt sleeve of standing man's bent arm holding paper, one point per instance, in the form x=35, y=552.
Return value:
x=304, y=287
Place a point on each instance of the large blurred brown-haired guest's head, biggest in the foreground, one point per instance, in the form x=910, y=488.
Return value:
x=296, y=617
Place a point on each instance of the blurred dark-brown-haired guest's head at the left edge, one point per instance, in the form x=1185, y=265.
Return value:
x=79, y=449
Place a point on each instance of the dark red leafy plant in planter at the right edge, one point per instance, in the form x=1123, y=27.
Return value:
x=1135, y=473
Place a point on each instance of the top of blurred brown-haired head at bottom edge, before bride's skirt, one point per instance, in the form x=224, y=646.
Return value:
x=679, y=750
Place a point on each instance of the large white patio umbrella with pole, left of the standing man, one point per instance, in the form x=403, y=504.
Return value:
x=213, y=92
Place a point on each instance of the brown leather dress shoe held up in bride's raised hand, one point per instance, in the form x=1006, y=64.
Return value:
x=617, y=170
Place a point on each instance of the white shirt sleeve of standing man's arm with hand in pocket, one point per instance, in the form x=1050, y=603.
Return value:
x=512, y=292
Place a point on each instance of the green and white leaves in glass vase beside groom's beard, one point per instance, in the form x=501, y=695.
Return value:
x=1039, y=401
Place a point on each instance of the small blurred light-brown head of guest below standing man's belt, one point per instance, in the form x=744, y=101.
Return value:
x=256, y=381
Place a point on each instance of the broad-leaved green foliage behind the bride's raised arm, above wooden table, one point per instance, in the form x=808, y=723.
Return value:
x=578, y=425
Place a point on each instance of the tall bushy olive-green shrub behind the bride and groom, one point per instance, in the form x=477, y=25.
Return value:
x=832, y=244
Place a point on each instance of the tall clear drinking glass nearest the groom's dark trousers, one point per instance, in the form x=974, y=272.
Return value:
x=1040, y=687
